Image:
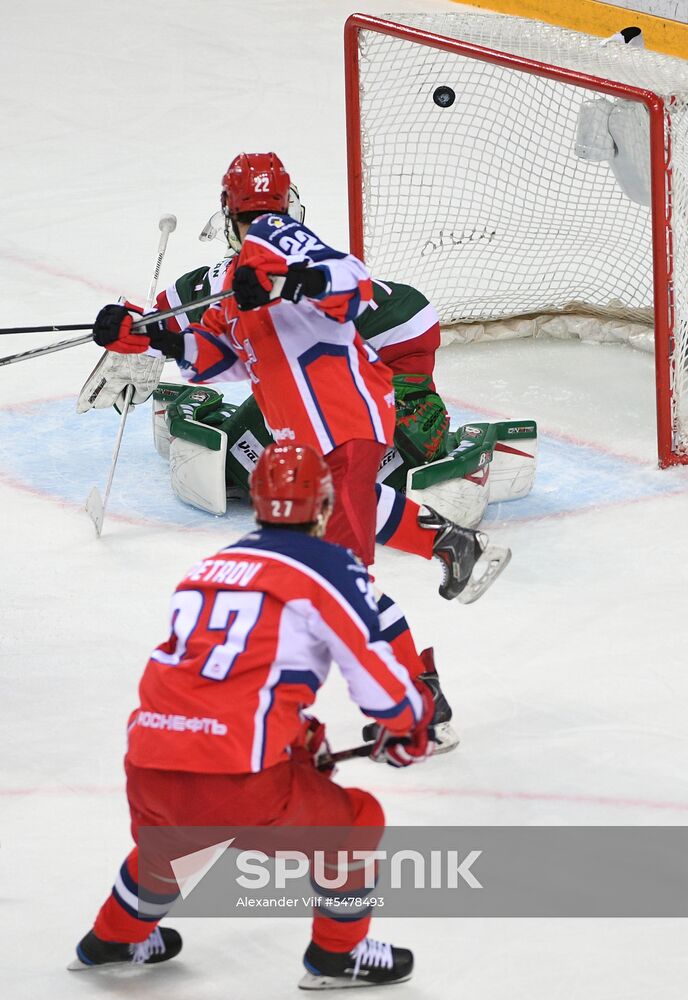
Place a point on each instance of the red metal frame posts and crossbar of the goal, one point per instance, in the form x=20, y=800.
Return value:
x=660, y=172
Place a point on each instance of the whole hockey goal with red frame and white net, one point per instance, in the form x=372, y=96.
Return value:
x=410, y=170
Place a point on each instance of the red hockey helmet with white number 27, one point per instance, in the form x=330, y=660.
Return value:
x=291, y=484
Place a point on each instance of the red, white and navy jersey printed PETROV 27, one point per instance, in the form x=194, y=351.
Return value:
x=254, y=629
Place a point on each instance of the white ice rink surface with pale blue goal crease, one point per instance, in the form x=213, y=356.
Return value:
x=568, y=680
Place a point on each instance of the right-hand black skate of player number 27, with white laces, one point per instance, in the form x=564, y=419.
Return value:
x=370, y=963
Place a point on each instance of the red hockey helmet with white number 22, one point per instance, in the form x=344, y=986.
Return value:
x=255, y=182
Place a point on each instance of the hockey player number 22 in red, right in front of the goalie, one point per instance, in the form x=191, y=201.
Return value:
x=289, y=329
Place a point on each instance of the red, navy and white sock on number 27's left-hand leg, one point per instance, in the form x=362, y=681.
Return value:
x=119, y=919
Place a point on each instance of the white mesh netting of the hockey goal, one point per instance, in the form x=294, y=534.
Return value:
x=525, y=196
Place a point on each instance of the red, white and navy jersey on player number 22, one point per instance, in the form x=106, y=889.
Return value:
x=316, y=381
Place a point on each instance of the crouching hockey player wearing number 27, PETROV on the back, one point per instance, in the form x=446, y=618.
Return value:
x=254, y=629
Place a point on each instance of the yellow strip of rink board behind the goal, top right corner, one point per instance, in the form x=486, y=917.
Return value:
x=594, y=18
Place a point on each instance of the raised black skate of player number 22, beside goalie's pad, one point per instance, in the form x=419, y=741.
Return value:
x=470, y=564
